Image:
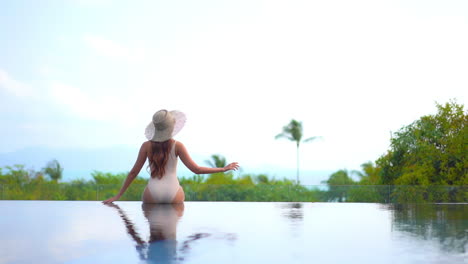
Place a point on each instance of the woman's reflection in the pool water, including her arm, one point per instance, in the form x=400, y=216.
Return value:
x=161, y=246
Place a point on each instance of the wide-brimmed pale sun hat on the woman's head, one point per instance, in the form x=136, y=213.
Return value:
x=165, y=125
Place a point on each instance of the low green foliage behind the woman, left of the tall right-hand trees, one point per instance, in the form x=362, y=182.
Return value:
x=17, y=183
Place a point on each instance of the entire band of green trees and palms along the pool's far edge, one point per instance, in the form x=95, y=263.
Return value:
x=426, y=162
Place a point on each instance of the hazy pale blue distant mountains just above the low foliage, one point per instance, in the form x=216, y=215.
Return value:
x=81, y=162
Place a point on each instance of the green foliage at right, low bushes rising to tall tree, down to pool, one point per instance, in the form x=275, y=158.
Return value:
x=426, y=162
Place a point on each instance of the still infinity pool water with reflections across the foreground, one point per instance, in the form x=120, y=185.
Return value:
x=232, y=232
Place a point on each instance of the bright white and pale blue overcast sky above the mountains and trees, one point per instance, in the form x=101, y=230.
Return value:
x=88, y=73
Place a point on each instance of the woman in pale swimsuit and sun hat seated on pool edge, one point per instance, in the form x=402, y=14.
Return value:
x=162, y=152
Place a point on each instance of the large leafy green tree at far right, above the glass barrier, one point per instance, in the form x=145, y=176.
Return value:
x=430, y=151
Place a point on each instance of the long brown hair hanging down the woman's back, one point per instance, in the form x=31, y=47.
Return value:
x=158, y=158
